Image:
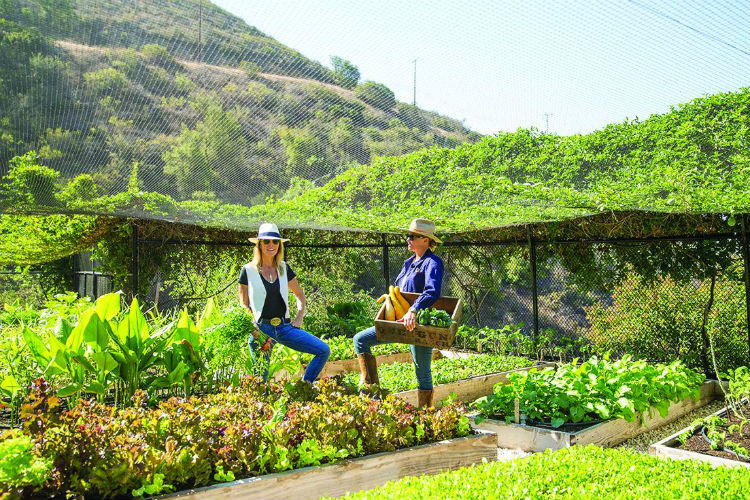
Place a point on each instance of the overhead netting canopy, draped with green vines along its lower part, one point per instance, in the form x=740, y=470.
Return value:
x=181, y=111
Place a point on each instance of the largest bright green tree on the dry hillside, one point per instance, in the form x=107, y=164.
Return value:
x=205, y=157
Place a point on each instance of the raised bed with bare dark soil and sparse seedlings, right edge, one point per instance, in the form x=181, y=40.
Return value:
x=692, y=443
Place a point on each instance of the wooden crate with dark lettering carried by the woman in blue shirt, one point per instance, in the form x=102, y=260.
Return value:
x=429, y=336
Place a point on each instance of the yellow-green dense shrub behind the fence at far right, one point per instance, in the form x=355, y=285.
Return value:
x=662, y=321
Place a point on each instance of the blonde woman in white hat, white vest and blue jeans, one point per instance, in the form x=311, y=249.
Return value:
x=264, y=286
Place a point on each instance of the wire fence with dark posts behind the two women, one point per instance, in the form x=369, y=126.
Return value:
x=659, y=299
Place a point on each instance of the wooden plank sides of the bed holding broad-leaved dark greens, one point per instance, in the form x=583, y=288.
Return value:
x=609, y=433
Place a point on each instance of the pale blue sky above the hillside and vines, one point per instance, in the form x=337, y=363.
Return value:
x=566, y=67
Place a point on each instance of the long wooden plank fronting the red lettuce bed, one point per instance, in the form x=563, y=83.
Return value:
x=353, y=475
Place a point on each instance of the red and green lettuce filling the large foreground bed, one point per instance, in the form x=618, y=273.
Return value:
x=254, y=429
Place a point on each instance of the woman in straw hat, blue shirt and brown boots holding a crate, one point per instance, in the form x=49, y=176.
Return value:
x=422, y=273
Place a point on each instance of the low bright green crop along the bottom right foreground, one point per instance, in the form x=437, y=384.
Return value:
x=575, y=473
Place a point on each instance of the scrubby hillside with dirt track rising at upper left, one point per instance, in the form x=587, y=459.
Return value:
x=106, y=89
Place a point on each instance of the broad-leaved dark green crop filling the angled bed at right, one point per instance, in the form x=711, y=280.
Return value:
x=596, y=389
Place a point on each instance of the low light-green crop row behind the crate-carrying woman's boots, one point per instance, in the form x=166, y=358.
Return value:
x=398, y=377
